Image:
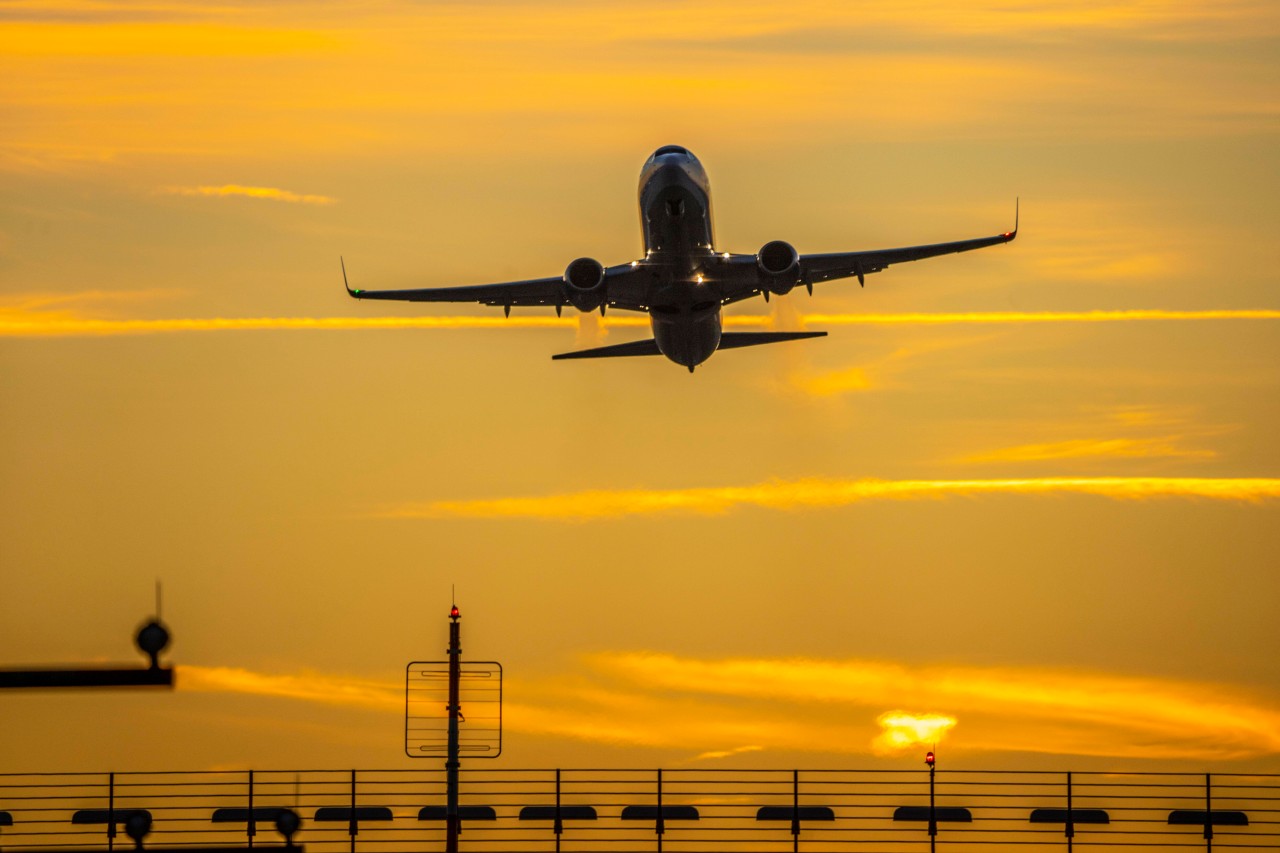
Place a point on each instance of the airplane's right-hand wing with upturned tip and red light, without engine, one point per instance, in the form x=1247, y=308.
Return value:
x=825, y=268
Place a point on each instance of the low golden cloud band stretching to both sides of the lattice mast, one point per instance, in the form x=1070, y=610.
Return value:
x=734, y=706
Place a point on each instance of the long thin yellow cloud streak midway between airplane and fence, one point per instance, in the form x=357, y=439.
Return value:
x=825, y=494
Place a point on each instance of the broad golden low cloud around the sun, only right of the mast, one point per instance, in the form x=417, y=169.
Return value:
x=1000, y=709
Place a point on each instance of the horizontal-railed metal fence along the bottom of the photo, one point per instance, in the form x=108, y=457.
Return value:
x=696, y=811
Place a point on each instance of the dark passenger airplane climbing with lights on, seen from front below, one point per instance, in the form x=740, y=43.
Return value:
x=683, y=282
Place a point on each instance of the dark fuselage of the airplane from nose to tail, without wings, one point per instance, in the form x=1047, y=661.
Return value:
x=676, y=223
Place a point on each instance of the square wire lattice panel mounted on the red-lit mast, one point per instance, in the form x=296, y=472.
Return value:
x=427, y=710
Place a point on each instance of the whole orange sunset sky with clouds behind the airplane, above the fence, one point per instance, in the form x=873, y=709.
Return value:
x=1023, y=503
